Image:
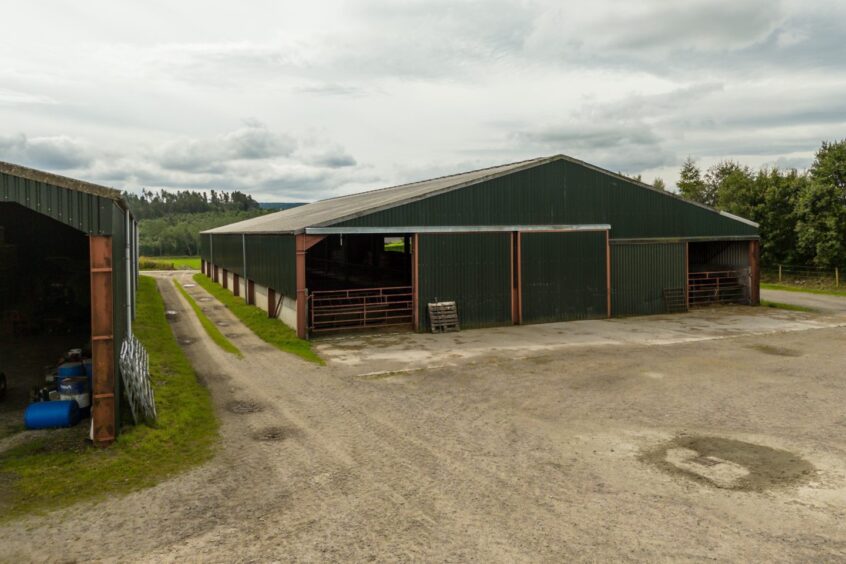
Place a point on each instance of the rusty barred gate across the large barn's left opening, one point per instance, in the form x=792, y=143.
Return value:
x=339, y=310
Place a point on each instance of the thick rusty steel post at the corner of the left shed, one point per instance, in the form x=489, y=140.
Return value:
x=102, y=340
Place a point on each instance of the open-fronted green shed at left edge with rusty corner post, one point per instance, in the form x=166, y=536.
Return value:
x=68, y=268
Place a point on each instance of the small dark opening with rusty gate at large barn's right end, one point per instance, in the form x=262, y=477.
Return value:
x=719, y=273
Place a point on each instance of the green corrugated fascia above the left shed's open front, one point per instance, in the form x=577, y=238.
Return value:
x=88, y=213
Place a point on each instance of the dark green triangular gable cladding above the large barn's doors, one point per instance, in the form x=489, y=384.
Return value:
x=562, y=192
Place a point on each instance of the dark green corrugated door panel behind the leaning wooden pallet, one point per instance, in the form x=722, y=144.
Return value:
x=472, y=269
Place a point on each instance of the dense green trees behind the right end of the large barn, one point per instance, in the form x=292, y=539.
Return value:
x=802, y=215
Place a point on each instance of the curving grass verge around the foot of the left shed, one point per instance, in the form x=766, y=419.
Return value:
x=51, y=472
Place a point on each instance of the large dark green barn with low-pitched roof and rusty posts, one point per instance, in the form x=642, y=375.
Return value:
x=543, y=240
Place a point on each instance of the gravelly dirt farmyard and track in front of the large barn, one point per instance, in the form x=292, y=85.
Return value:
x=717, y=435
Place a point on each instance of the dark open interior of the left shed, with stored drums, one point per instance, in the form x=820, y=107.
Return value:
x=44, y=314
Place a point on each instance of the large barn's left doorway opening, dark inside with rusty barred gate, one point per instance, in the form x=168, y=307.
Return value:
x=360, y=281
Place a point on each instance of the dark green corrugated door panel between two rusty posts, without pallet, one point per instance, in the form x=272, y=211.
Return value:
x=563, y=276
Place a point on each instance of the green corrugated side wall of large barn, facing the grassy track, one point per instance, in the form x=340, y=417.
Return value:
x=271, y=259
